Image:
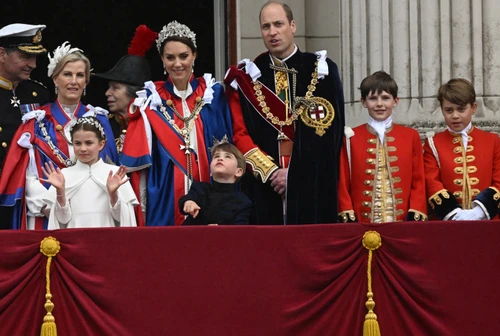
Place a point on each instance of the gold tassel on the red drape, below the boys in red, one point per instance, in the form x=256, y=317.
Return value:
x=371, y=241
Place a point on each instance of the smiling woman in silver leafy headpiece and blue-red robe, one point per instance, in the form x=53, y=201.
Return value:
x=172, y=125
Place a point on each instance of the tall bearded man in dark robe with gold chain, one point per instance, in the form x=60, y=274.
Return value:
x=288, y=120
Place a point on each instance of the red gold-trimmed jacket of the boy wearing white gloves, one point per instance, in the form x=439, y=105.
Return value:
x=456, y=178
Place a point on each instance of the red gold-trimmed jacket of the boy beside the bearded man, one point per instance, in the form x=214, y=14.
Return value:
x=403, y=166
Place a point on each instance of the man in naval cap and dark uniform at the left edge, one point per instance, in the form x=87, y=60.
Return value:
x=19, y=46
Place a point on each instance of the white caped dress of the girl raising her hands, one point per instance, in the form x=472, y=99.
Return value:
x=87, y=200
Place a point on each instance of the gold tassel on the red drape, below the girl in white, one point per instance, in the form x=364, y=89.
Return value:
x=49, y=247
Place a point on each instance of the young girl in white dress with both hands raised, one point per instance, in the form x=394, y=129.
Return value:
x=91, y=193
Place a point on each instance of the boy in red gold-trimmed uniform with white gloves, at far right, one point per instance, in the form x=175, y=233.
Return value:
x=462, y=163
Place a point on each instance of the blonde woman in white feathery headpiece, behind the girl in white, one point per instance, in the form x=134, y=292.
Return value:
x=44, y=137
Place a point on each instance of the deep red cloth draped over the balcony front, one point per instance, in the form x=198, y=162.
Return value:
x=433, y=278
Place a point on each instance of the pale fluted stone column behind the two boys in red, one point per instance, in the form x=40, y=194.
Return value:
x=422, y=44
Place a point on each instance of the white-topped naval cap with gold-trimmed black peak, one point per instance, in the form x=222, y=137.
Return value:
x=25, y=37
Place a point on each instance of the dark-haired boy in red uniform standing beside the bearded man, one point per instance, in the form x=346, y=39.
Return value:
x=381, y=166
